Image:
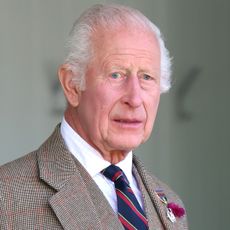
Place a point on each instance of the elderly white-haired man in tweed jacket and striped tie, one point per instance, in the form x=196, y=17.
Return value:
x=85, y=175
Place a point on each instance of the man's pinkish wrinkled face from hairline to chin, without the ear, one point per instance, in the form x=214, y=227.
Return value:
x=117, y=109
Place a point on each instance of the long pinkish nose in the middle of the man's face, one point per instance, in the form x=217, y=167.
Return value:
x=132, y=92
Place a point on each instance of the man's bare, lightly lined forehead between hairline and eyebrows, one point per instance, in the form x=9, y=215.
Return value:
x=124, y=42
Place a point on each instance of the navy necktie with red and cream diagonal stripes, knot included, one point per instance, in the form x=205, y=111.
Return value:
x=130, y=212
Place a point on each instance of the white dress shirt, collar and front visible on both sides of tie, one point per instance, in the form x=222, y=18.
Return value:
x=94, y=163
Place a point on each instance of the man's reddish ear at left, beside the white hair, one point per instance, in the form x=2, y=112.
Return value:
x=71, y=90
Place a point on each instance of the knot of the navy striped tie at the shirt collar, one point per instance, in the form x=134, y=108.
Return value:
x=114, y=173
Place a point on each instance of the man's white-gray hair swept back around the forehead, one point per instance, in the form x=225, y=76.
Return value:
x=109, y=16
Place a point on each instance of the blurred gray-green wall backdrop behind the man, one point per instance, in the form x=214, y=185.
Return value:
x=189, y=148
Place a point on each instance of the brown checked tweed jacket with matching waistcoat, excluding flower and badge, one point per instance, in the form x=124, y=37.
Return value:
x=49, y=189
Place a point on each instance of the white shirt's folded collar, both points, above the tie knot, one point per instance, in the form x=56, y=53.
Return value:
x=89, y=157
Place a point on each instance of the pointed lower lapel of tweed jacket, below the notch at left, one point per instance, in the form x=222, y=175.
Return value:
x=73, y=207
